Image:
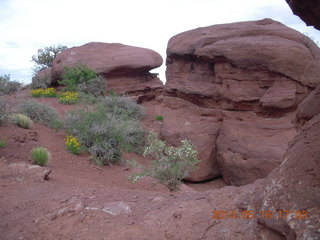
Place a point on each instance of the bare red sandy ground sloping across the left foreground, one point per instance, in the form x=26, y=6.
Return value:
x=79, y=200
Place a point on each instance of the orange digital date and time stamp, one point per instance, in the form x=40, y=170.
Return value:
x=266, y=214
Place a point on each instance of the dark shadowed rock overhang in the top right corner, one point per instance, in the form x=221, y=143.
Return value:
x=307, y=10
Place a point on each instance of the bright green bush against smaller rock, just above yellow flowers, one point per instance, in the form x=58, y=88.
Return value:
x=83, y=79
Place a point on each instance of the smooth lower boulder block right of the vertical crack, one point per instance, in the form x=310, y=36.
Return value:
x=250, y=147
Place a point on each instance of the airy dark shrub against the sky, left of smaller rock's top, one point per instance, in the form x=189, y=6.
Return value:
x=45, y=57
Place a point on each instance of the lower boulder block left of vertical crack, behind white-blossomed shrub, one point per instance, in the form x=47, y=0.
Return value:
x=184, y=120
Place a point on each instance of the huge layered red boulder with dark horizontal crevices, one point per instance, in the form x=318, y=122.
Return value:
x=247, y=78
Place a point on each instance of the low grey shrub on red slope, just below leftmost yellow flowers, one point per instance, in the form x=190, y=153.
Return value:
x=41, y=113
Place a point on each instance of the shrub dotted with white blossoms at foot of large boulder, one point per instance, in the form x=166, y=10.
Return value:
x=172, y=164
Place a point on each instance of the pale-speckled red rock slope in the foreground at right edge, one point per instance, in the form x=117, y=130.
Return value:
x=295, y=187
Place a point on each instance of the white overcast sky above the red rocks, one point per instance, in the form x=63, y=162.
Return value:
x=27, y=25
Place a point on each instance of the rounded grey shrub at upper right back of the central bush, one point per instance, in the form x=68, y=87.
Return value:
x=122, y=107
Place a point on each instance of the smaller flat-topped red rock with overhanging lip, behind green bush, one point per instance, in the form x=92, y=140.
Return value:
x=126, y=68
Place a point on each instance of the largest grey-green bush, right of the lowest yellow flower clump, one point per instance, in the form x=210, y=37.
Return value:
x=104, y=133
